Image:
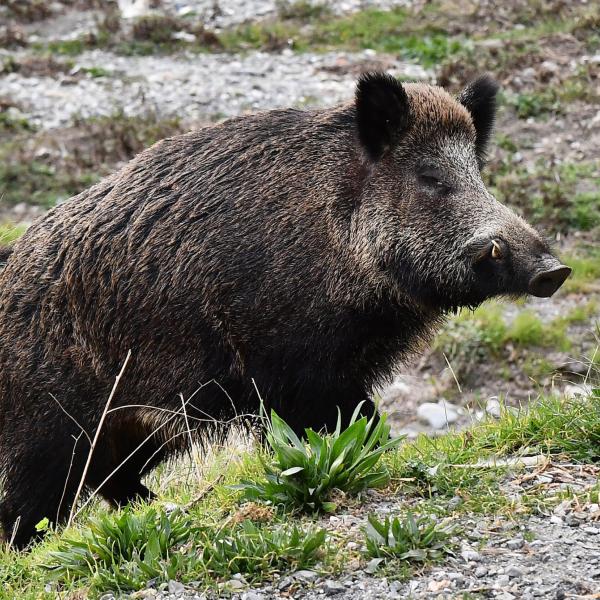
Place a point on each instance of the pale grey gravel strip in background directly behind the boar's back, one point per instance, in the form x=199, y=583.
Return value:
x=195, y=87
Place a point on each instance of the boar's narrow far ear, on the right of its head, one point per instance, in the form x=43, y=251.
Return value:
x=479, y=98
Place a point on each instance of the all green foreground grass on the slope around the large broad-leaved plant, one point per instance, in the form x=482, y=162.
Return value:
x=208, y=544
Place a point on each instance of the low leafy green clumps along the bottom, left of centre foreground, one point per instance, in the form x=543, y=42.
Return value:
x=123, y=551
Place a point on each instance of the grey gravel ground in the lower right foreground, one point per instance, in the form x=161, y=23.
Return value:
x=554, y=556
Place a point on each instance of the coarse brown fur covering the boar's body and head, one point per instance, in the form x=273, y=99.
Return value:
x=298, y=253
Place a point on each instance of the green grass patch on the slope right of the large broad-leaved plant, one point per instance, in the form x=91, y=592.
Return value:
x=463, y=472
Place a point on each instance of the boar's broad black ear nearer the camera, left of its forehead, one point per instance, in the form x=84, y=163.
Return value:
x=382, y=112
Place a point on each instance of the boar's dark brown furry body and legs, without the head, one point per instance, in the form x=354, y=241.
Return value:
x=217, y=257
